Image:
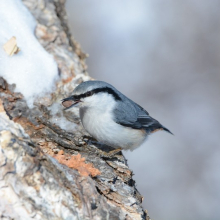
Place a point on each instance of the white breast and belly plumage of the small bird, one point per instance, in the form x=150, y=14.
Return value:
x=98, y=121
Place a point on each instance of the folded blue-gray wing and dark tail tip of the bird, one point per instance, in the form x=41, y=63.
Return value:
x=130, y=114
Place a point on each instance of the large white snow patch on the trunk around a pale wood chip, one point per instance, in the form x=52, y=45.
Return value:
x=33, y=70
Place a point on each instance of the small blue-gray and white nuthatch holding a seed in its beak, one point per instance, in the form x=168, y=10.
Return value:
x=110, y=117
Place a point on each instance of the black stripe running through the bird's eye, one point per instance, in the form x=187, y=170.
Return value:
x=98, y=90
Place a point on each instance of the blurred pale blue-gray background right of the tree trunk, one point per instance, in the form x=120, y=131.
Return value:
x=164, y=55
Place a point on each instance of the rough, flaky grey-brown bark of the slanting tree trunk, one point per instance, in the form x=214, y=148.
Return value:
x=34, y=185
